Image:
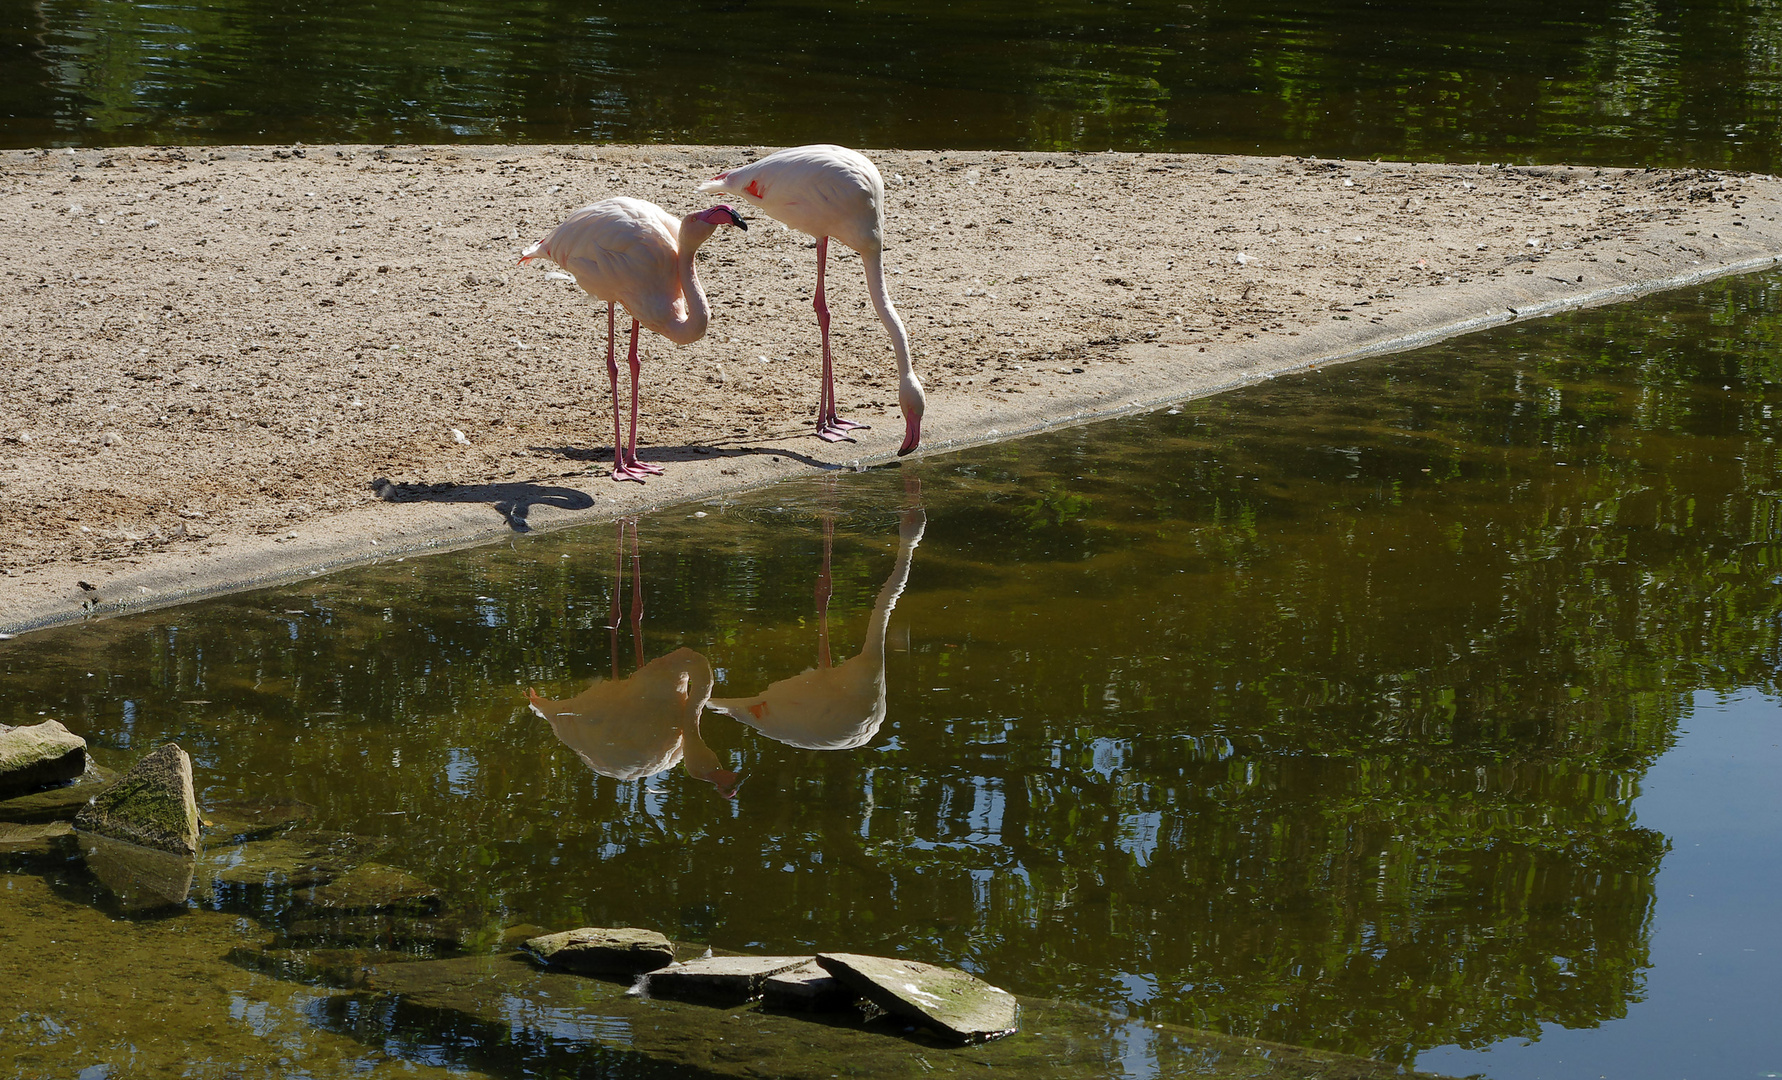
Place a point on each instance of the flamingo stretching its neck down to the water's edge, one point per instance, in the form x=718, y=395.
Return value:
x=833, y=192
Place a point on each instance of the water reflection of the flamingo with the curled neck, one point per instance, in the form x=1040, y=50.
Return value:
x=648, y=723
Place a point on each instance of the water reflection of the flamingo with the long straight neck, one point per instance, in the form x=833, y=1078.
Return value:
x=837, y=707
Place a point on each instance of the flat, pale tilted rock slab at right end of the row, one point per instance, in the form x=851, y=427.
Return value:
x=949, y=1001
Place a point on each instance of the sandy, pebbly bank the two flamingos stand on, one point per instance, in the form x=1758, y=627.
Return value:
x=215, y=356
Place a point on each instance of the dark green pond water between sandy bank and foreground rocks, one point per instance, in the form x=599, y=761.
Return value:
x=1321, y=712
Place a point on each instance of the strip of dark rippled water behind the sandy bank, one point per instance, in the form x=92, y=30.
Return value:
x=1624, y=83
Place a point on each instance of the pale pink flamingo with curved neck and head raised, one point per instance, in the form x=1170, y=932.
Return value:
x=634, y=252
